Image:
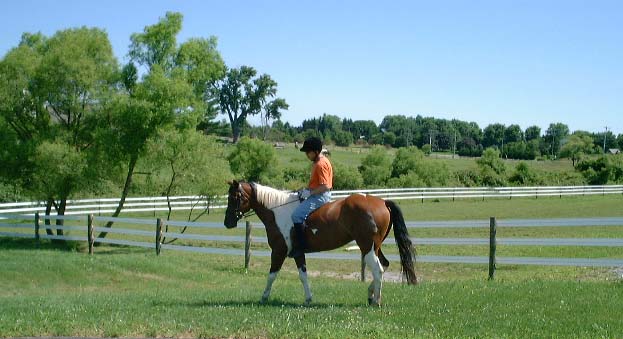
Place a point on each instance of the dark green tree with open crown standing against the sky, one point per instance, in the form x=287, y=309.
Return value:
x=242, y=93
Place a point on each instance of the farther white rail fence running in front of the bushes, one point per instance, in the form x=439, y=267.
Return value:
x=149, y=204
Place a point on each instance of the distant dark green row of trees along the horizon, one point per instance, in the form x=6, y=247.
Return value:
x=440, y=135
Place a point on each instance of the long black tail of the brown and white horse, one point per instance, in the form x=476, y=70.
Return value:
x=405, y=246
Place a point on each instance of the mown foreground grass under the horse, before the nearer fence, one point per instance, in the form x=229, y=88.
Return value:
x=130, y=293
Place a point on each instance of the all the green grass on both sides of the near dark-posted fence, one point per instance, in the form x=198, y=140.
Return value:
x=129, y=292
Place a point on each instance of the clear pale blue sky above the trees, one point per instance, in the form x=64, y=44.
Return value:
x=510, y=62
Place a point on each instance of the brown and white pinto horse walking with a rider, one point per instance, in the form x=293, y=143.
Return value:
x=366, y=219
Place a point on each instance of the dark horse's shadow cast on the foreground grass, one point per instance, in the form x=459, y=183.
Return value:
x=251, y=303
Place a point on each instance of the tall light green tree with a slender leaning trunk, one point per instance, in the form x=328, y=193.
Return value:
x=171, y=94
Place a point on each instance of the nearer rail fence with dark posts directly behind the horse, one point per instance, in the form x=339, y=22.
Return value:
x=27, y=226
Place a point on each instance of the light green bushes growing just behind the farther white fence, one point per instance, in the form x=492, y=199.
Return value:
x=254, y=160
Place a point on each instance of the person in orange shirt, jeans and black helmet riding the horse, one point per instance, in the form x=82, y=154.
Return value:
x=316, y=194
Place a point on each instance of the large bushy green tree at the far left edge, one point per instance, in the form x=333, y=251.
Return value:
x=53, y=93
